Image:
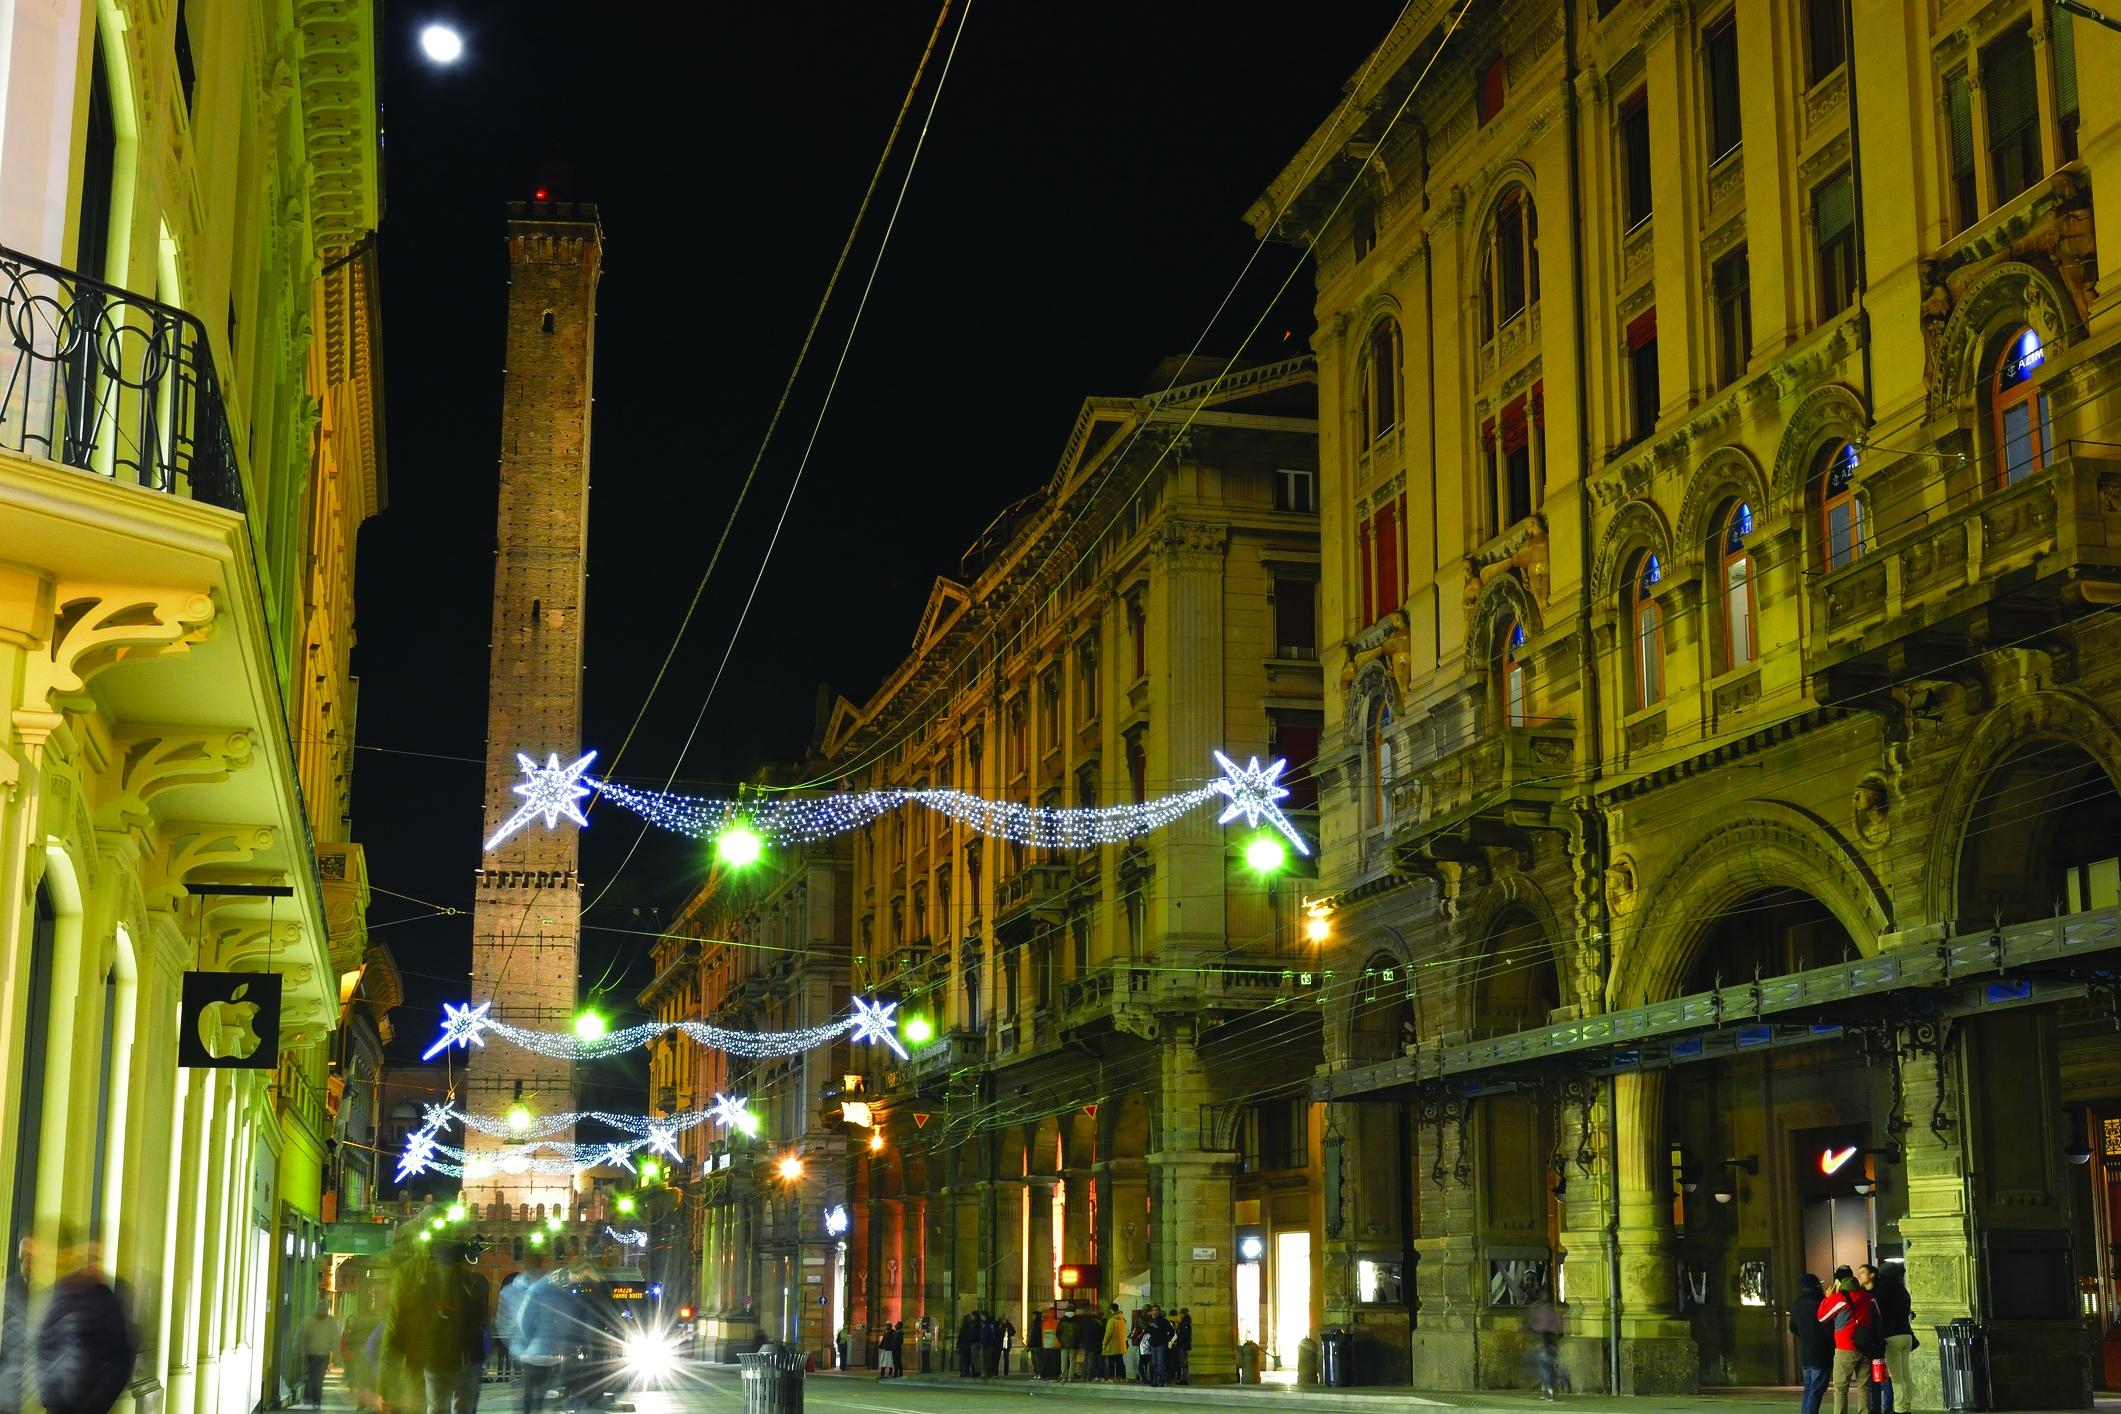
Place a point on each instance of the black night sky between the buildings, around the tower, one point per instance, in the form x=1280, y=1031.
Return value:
x=1074, y=217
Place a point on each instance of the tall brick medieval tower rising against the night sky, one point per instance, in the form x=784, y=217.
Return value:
x=525, y=953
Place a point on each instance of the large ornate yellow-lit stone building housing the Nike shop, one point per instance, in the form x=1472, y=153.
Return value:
x=1721, y=497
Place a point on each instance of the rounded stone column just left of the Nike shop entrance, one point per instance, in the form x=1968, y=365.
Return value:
x=1658, y=1354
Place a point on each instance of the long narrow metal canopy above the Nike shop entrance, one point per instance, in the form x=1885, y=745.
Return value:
x=2029, y=964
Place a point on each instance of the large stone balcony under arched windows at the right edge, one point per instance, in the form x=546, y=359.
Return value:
x=1997, y=569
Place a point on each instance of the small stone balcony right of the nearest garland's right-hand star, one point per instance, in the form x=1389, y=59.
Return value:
x=1488, y=794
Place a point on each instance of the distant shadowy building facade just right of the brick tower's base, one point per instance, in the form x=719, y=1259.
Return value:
x=756, y=1237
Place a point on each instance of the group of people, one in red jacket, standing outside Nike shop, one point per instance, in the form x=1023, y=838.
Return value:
x=1855, y=1332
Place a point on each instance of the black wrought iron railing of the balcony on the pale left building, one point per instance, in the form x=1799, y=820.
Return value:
x=103, y=381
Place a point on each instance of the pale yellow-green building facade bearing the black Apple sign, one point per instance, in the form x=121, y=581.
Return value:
x=190, y=442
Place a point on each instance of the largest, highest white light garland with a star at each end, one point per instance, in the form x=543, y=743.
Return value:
x=553, y=790
